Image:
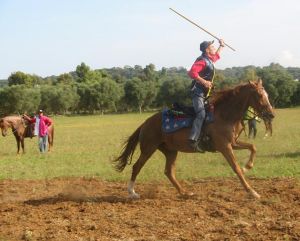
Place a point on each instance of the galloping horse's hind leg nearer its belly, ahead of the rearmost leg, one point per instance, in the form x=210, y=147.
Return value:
x=170, y=168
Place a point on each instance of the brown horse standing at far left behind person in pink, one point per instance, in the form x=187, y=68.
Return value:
x=22, y=129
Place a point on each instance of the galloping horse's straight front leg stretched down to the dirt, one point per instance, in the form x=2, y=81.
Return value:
x=229, y=156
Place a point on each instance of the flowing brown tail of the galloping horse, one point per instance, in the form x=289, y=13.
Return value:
x=128, y=151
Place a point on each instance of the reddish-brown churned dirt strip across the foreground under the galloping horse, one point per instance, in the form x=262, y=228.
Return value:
x=90, y=209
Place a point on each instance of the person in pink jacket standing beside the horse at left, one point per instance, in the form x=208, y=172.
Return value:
x=41, y=129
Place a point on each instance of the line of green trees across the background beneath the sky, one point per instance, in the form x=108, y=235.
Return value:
x=132, y=88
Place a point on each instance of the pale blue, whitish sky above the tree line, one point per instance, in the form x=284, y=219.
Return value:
x=52, y=37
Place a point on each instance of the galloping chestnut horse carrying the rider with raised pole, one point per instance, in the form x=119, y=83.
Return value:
x=229, y=108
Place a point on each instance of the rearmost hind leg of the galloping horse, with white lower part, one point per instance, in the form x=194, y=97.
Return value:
x=144, y=156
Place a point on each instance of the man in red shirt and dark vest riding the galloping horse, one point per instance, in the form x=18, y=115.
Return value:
x=202, y=73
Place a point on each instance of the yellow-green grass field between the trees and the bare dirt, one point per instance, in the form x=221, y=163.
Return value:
x=85, y=146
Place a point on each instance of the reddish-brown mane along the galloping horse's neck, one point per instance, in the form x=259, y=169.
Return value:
x=222, y=96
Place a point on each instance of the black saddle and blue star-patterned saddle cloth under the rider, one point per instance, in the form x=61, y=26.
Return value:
x=181, y=116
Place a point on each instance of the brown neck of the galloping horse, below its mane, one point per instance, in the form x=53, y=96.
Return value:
x=234, y=108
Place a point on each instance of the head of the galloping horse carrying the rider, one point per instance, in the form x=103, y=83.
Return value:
x=259, y=100
